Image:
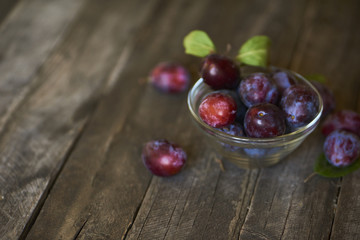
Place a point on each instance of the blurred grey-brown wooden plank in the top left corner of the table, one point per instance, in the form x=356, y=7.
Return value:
x=28, y=36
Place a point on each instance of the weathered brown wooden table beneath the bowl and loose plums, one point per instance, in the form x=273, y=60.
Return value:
x=75, y=110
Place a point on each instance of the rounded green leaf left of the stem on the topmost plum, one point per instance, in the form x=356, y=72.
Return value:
x=198, y=43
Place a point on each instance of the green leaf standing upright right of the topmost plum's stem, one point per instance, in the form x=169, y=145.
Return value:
x=255, y=51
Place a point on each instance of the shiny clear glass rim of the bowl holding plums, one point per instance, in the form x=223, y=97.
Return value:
x=302, y=131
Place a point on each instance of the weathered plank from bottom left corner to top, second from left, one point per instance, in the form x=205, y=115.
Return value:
x=40, y=134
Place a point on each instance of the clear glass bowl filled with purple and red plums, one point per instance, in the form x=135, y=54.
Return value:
x=248, y=152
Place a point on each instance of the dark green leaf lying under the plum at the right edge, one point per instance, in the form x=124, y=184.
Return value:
x=325, y=169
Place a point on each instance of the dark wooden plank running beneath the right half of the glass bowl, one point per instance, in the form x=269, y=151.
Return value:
x=283, y=206
